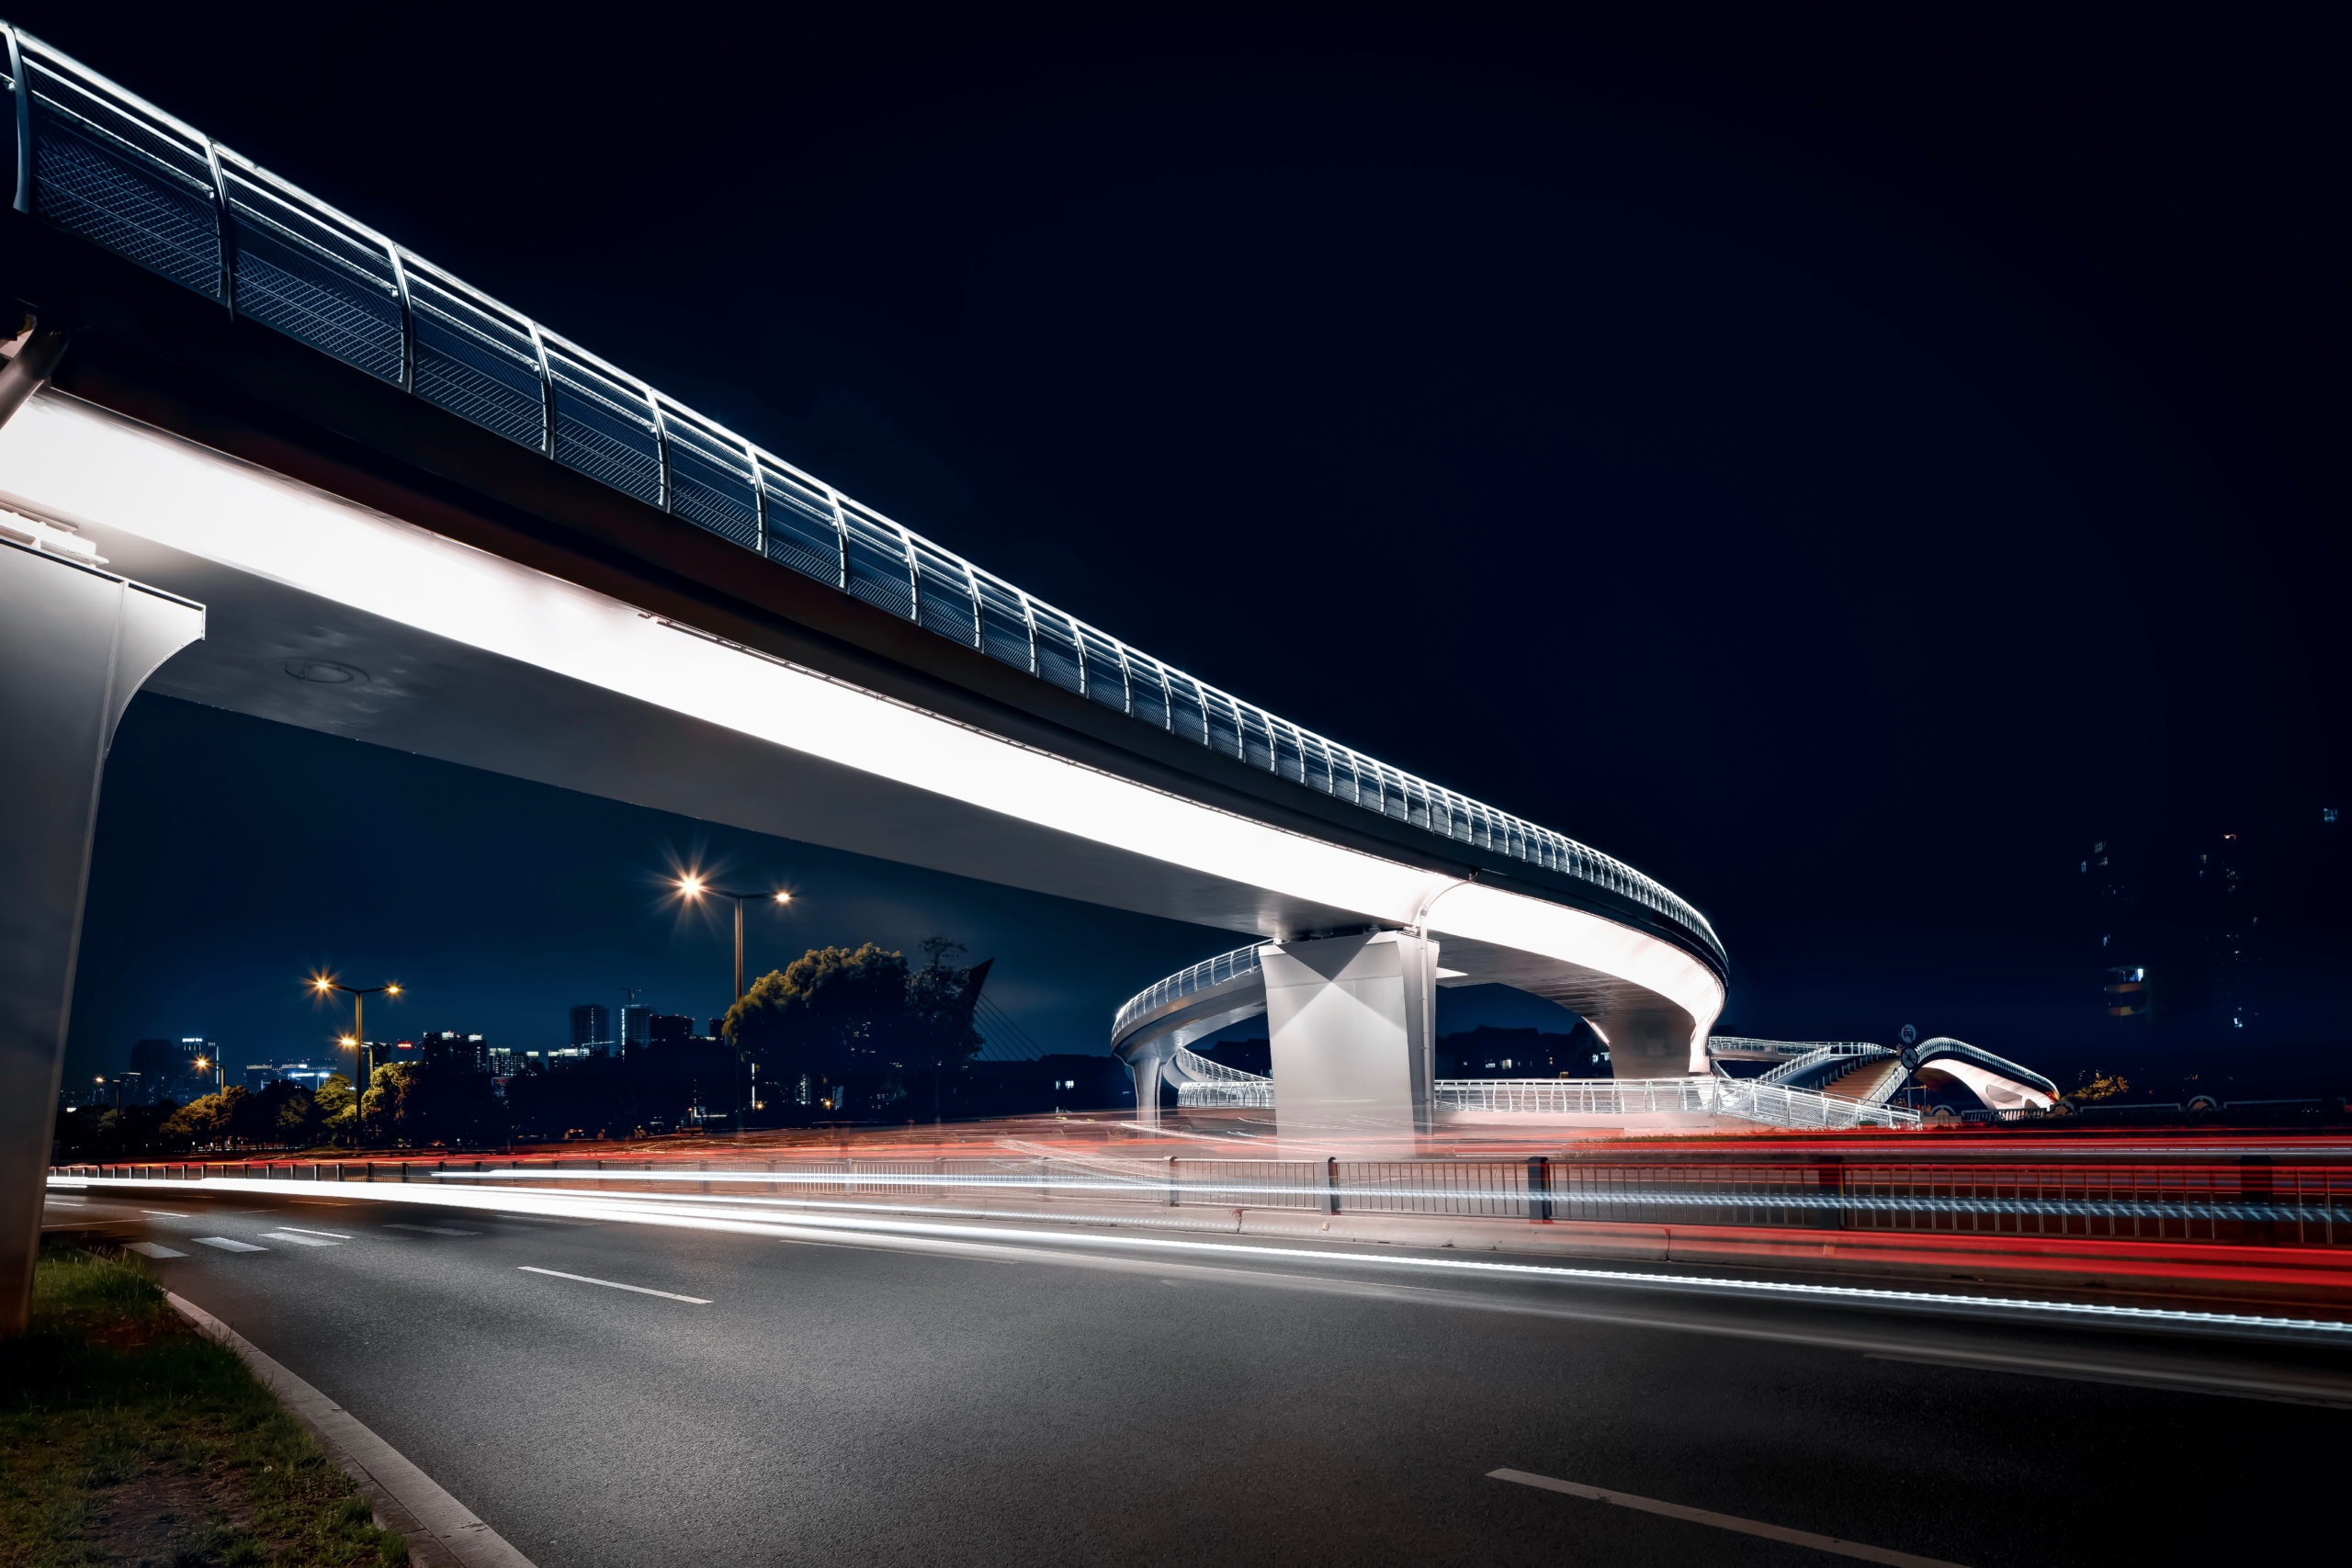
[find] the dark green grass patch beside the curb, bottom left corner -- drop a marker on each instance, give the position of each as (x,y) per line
(116,1414)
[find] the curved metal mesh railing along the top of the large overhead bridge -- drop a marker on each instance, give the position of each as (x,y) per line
(112,168)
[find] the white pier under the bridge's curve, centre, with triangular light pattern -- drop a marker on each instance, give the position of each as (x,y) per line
(1351,1026)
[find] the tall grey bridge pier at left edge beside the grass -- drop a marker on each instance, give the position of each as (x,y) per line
(76,643)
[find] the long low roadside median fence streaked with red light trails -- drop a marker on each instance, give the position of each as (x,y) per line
(2094,1198)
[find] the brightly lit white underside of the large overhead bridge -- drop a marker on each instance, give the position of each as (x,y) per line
(349,622)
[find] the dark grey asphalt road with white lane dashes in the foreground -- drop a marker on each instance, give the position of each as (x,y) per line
(1064,1398)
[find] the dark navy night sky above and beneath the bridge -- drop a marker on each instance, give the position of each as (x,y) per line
(1840,460)
